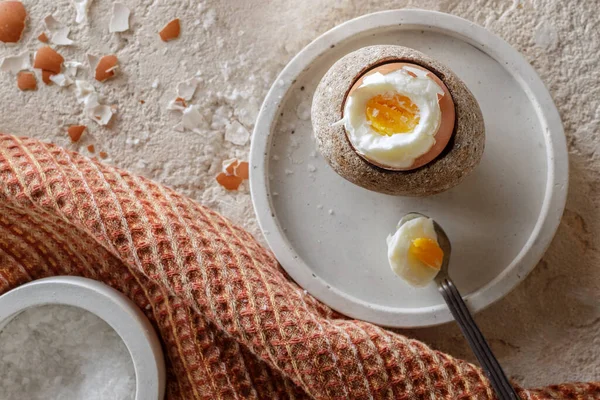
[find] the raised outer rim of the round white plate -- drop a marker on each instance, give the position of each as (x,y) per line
(554,196)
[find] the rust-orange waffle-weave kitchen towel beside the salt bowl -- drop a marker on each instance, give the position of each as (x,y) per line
(233,324)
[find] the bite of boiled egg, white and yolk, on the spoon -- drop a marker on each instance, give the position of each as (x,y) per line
(414,253)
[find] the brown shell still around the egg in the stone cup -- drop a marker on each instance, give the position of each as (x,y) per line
(445,128)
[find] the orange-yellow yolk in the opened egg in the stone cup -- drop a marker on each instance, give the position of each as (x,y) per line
(391,114)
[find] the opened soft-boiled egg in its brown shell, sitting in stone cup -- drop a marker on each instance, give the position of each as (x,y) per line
(399,116)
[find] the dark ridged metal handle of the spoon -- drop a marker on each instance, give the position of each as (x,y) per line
(479,345)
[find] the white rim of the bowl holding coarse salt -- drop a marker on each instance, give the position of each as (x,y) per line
(108,304)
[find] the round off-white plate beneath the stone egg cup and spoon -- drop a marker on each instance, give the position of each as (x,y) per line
(329,234)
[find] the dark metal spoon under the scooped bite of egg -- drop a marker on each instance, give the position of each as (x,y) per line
(463,317)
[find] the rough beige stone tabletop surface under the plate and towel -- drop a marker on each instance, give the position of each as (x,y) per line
(545,331)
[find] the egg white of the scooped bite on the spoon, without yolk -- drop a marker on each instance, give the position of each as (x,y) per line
(405,265)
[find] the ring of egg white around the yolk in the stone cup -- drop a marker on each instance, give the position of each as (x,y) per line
(400,150)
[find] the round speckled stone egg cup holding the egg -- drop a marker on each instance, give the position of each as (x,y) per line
(460,157)
